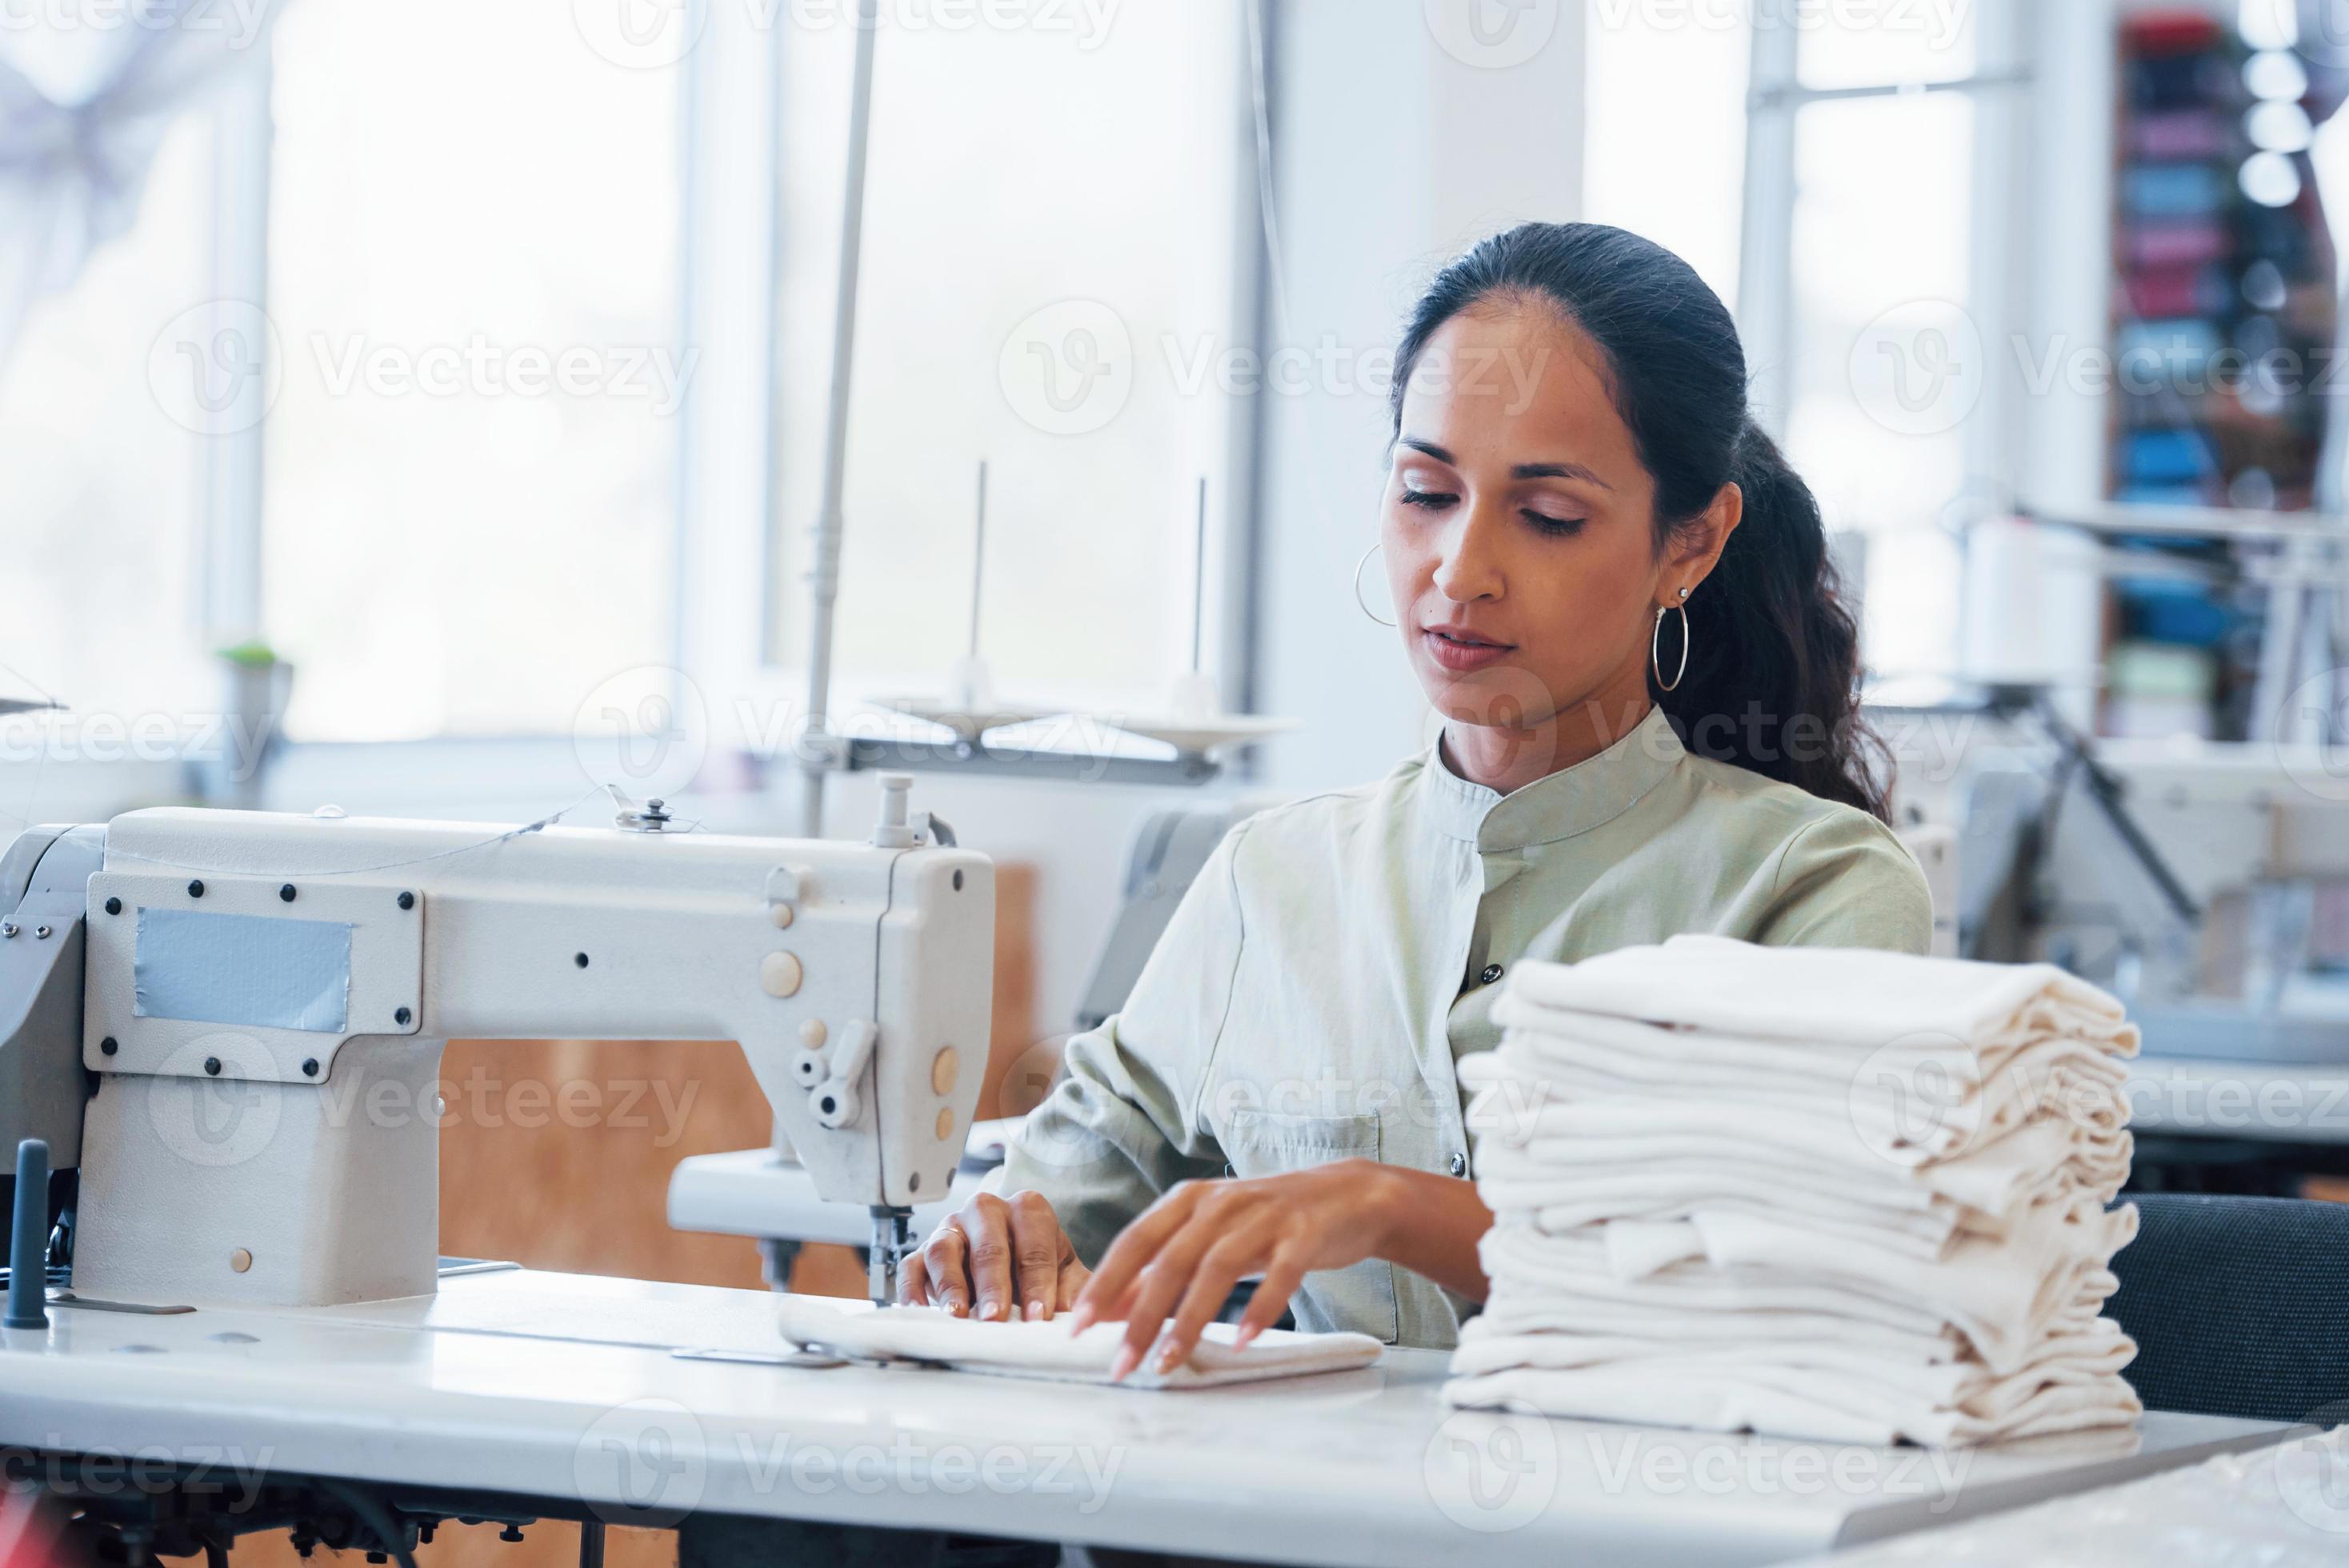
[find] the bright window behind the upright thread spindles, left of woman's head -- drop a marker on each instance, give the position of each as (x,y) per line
(1049,285)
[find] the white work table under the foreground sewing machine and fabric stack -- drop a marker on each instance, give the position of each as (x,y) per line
(565,1386)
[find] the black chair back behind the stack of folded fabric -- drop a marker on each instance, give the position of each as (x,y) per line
(2240,1306)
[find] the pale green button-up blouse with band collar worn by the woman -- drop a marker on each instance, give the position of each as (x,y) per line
(1335,957)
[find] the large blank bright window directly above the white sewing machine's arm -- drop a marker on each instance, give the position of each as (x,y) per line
(471,494)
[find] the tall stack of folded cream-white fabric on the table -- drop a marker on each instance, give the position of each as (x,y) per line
(1810,1191)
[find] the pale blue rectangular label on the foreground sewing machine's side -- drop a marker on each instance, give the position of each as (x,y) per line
(253,971)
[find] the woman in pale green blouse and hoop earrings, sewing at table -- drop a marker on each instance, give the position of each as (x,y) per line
(1620,600)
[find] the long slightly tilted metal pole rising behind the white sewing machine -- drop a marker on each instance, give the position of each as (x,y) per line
(826,569)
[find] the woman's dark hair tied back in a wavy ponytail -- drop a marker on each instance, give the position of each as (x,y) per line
(1775,673)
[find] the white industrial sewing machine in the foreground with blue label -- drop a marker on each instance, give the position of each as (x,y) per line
(262,1003)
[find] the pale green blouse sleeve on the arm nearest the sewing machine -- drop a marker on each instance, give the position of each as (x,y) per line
(1122,1126)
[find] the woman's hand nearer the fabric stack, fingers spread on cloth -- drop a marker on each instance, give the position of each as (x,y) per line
(1190,1250)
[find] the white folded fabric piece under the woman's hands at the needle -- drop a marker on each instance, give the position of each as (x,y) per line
(1049,1351)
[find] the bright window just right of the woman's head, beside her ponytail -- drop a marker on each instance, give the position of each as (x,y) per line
(1869,334)
